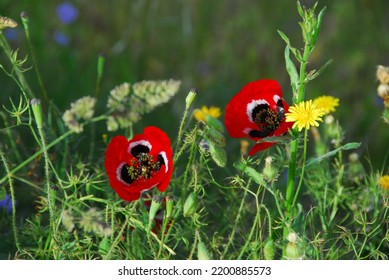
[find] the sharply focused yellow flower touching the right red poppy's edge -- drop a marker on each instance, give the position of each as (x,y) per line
(304,115)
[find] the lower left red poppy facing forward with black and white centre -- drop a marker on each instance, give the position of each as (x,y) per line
(140,164)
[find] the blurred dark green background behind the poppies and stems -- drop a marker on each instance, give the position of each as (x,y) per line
(213,46)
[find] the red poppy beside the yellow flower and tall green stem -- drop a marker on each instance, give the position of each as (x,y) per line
(257,111)
